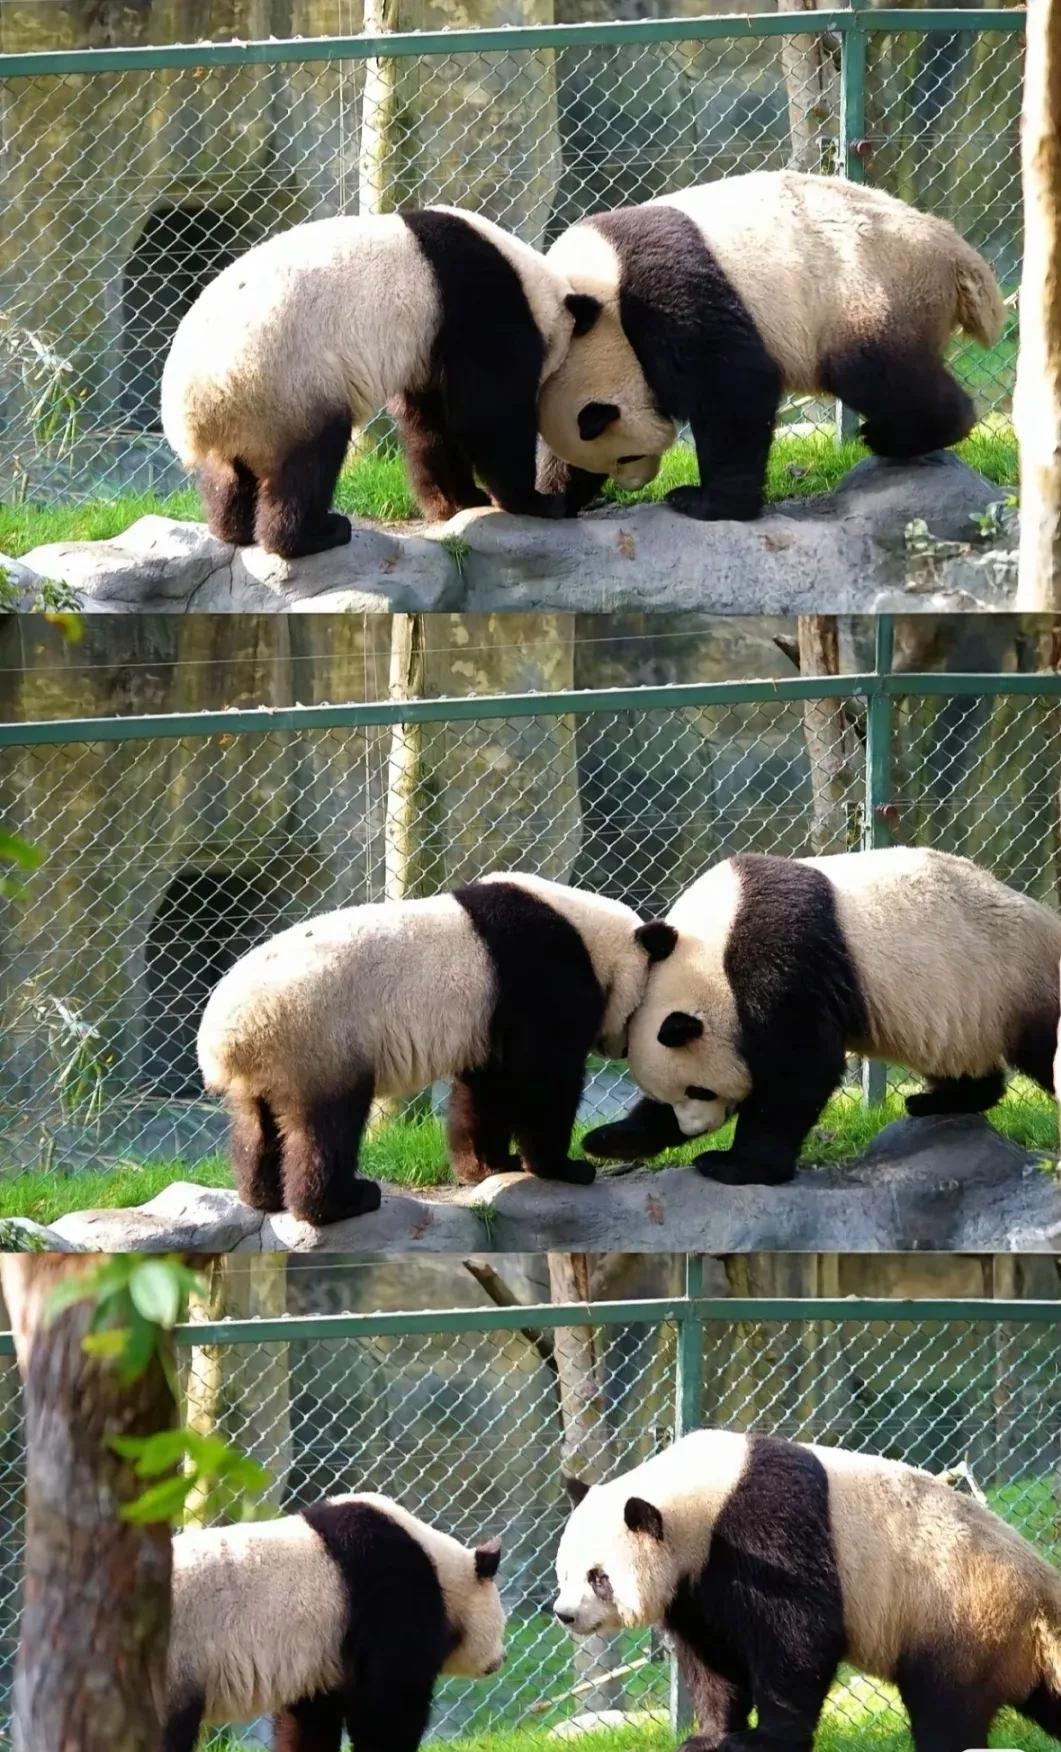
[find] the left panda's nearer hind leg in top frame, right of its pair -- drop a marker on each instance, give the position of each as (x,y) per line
(293,502)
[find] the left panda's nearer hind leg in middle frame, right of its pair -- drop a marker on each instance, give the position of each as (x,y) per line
(321,1147)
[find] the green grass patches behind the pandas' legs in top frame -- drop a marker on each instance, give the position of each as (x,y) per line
(376,486)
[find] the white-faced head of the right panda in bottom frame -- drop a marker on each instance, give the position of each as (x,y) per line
(615,1565)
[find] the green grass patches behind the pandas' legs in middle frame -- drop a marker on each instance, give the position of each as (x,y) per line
(414,1154)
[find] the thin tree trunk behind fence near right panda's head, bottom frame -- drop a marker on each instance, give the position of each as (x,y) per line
(584,1450)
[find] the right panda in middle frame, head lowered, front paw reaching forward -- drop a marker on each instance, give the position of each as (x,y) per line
(768,971)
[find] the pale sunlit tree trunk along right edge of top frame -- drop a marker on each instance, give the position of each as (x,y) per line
(1037,404)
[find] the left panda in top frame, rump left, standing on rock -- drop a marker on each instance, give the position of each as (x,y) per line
(311,334)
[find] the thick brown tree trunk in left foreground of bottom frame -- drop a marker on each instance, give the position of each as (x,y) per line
(97,1590)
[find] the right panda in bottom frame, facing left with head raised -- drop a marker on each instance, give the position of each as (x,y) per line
(769,1564)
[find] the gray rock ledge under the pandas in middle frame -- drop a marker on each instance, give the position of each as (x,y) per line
(925,1185)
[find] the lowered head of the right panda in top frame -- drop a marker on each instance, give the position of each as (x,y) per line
(598,411)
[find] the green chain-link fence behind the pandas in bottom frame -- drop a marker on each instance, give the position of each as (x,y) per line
(467,1416)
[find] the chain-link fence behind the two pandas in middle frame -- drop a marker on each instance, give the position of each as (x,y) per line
(174,844)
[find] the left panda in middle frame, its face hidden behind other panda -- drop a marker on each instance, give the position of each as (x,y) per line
(503,985)
